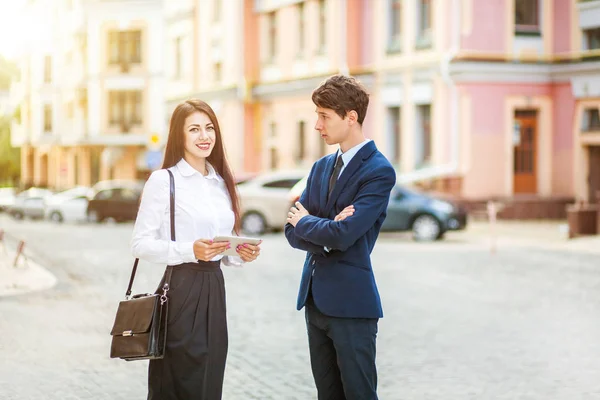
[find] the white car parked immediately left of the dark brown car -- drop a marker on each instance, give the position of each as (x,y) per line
(70,205)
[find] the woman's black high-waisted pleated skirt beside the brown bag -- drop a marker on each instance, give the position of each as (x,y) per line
(194,362)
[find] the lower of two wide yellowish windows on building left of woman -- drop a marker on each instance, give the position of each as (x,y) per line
(125,108)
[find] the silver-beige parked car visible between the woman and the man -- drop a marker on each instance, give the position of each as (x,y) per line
(264,200)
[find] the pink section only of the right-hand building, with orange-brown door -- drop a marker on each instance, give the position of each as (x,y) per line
(528,98)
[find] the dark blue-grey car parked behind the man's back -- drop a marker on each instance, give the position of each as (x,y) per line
(426,215)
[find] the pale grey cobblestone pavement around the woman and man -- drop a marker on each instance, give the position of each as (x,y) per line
(459,322)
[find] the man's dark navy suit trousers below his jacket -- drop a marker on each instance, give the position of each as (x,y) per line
(342,355)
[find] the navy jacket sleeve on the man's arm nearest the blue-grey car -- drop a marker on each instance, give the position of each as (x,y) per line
(371,200)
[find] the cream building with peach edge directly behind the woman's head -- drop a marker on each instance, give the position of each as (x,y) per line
(210,50)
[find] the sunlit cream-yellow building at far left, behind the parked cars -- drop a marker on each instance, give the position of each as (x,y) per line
(91,92)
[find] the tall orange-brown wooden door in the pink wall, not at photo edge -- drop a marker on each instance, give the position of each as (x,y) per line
(525,152)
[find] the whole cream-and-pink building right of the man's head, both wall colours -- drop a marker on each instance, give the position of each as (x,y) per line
(492,99)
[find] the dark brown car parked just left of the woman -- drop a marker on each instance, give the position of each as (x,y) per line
(116,200)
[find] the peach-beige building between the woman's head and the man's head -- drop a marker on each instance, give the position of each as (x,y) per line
(300,44)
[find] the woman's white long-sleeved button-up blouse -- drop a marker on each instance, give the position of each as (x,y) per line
(202,211)
